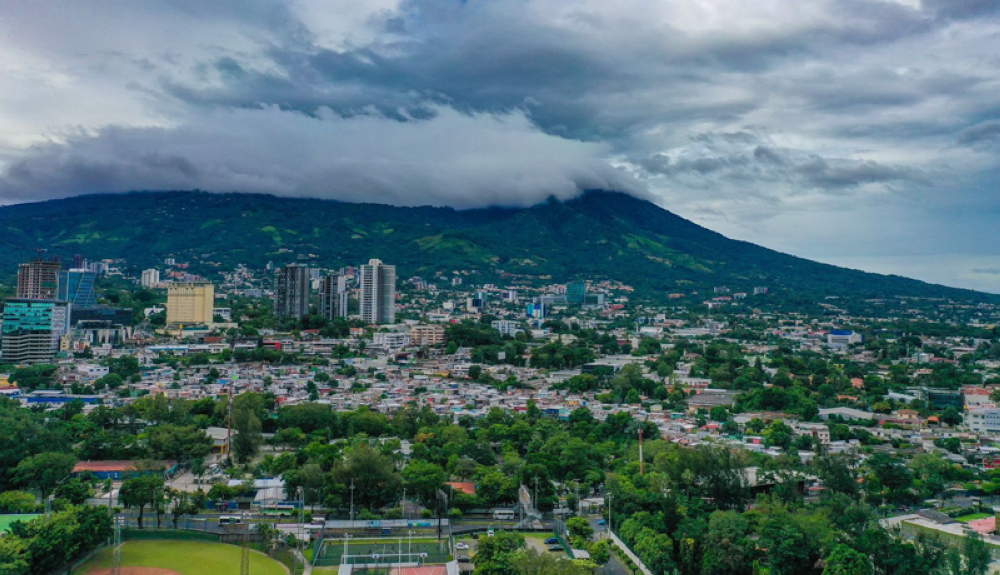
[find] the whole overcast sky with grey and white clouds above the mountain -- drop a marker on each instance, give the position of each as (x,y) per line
(859,132)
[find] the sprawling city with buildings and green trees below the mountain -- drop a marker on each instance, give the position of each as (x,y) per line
(353,418)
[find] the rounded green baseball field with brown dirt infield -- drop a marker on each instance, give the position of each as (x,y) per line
(187,558)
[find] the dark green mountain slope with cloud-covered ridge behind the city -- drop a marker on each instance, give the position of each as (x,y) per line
(599,234)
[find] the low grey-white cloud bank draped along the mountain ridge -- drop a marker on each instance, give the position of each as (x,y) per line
(449,158)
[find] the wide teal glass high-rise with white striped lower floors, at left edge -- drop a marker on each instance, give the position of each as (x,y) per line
(32,329)
